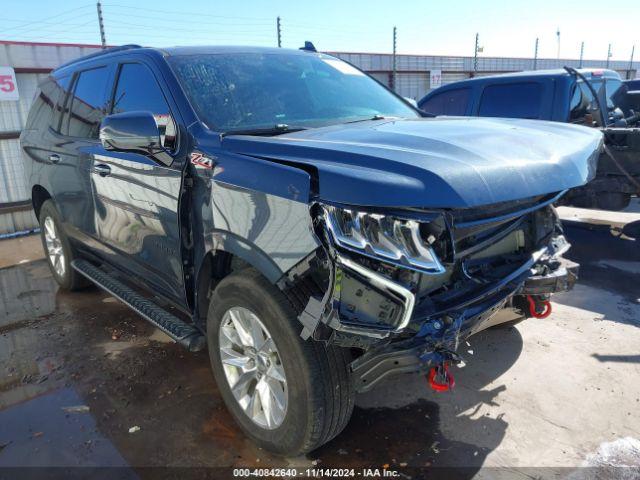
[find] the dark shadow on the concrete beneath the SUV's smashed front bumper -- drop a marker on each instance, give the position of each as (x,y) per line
(402,422)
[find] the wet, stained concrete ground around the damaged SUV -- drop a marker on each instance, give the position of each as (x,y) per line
(78,371)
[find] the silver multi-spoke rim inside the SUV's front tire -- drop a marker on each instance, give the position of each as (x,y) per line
(253,367)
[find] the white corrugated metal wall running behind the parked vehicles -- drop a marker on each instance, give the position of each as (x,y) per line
(32,61)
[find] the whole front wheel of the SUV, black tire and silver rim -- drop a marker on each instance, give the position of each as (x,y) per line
(289,395)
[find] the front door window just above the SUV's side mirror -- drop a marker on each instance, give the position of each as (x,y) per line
(138,90)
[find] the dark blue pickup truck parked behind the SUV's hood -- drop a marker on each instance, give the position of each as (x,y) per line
(594,98)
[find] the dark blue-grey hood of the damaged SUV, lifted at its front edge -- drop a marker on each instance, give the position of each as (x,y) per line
(448,162)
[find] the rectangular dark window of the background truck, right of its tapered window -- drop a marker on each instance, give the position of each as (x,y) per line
(511,100)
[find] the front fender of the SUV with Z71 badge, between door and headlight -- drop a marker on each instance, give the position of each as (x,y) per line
(252,208)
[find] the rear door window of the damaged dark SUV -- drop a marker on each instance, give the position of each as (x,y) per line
(88,104)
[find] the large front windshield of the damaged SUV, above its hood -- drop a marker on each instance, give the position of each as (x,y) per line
(243,91)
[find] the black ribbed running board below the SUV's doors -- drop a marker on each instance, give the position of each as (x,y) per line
(183,333)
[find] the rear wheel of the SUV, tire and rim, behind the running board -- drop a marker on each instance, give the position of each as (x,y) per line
(58,250)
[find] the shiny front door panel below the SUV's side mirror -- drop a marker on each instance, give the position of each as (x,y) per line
(136,219)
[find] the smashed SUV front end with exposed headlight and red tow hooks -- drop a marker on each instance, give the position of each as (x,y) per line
(405,287)
